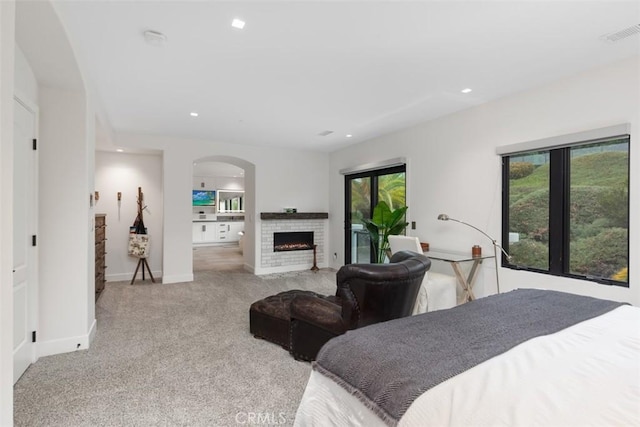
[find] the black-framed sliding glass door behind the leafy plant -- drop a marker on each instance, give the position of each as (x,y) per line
(362,192)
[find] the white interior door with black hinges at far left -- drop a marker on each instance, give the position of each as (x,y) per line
(24,228)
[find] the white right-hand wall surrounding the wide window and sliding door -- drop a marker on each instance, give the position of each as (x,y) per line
(452,167)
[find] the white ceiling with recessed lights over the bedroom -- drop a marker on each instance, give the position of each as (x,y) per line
(300,68)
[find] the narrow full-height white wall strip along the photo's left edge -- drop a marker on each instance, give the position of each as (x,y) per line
(7,23)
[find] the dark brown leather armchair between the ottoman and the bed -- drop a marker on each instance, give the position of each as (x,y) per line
(366,294)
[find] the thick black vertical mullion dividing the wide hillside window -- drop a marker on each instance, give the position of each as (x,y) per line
(558,210)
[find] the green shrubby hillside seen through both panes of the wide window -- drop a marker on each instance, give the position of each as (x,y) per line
(598,212)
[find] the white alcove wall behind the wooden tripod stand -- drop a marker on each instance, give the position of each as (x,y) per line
(122,172)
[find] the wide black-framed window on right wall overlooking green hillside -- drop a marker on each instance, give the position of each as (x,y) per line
(566,210)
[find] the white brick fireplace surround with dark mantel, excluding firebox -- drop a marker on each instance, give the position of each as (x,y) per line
(273,222)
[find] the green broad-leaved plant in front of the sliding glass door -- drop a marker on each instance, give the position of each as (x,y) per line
(383,224)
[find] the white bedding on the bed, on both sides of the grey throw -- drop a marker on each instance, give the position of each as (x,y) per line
(585,375)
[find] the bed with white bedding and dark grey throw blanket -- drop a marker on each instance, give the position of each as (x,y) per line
(522,358)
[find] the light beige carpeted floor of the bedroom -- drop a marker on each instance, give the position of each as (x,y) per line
(172,355)
